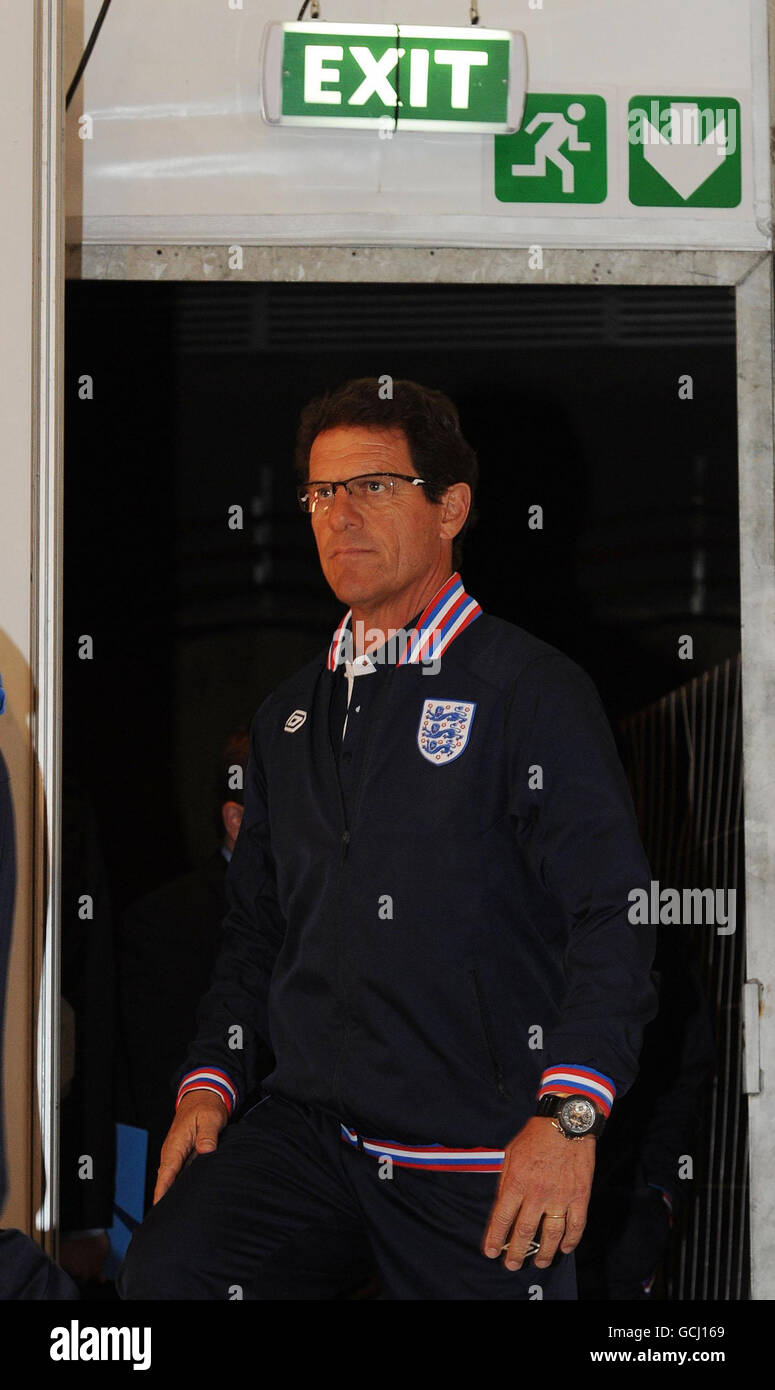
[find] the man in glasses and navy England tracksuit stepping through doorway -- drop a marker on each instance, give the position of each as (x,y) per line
(428,924)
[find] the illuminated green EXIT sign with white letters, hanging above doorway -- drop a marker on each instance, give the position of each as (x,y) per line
(394,77)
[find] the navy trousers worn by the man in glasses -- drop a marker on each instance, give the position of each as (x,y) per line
(285,1210)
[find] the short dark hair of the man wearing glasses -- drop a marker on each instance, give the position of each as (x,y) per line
(427,418)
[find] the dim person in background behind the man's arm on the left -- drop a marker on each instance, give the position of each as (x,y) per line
(169,945)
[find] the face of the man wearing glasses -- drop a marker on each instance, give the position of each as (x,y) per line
(370,555)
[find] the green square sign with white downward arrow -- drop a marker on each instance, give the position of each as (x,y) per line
(684,152)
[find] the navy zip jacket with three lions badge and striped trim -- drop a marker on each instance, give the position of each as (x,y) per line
(428,919)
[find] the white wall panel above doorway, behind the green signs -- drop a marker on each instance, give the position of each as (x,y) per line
(180,151)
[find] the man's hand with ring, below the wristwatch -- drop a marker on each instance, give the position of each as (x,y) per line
(545,1184)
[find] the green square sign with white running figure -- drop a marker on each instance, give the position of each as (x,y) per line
(559,155)
